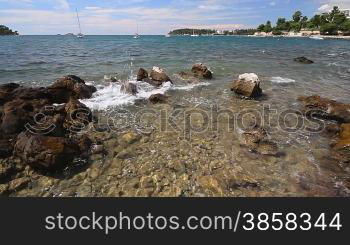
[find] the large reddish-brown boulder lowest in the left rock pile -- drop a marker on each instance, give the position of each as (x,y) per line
(46,152)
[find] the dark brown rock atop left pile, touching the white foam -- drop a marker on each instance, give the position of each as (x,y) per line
(70,86)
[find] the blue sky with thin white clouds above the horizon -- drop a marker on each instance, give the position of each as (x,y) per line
(118,17)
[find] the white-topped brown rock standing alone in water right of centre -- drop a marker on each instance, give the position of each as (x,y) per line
(248,85)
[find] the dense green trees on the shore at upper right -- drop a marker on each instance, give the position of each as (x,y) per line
(327,24)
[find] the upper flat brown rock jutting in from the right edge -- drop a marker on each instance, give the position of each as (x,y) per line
(326,108)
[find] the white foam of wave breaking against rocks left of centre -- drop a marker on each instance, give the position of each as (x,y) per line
(111,95)
